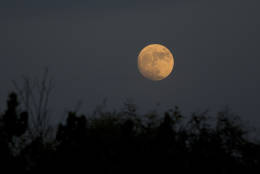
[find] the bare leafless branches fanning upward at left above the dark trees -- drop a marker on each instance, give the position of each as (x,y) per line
(35,94)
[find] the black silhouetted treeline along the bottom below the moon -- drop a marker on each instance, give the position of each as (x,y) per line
(125,142)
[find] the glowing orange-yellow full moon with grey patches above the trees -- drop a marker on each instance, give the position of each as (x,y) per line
(155,62)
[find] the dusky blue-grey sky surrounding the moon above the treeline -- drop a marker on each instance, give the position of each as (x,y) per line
(91,49)
